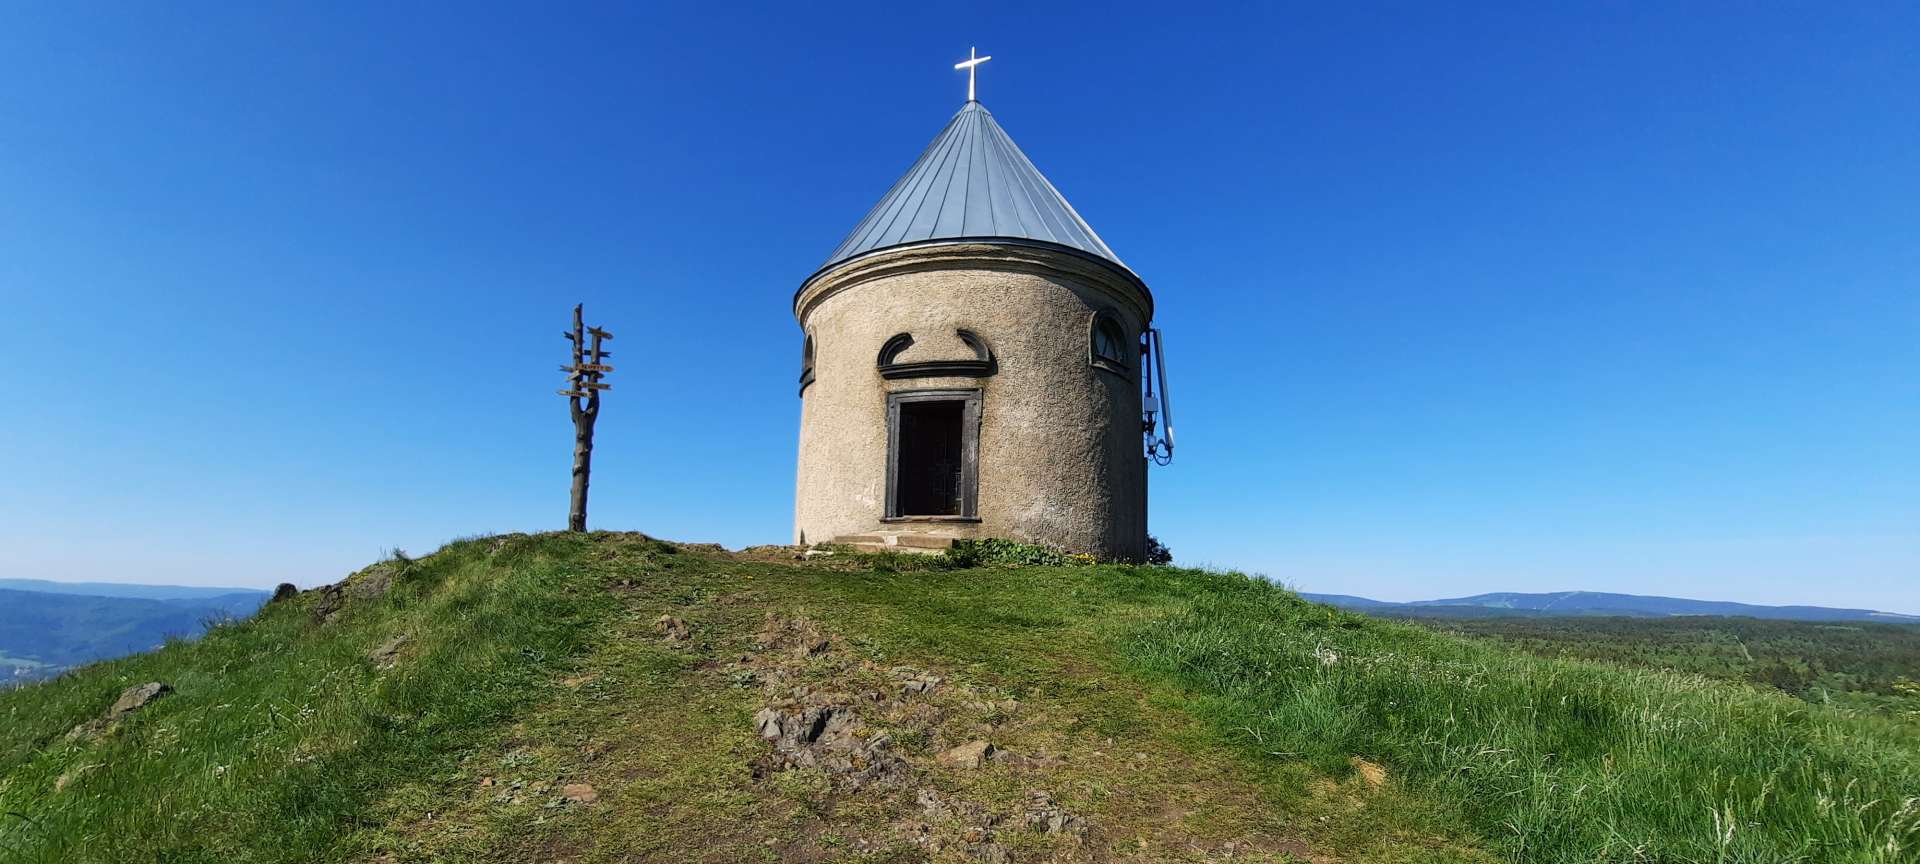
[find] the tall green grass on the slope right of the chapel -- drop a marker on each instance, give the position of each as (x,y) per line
(1552,761)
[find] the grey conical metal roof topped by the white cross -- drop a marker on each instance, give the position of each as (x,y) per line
(972,183)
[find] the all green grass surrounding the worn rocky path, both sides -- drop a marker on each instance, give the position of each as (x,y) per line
(283,732)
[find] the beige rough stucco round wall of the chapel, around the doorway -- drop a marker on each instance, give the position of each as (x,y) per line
(1059,441)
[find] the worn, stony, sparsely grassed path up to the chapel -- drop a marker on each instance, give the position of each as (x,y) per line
(727,723)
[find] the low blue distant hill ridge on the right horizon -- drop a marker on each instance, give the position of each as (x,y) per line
(1595,604)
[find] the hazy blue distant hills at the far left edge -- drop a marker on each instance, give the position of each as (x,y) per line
(51,627)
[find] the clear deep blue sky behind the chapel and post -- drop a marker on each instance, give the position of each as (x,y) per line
(1616,297)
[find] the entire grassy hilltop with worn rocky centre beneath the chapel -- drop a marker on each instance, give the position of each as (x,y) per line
(613,698)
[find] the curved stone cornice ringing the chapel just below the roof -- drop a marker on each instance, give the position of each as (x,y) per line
(1015,256)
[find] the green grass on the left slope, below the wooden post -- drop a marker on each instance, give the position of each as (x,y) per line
(281,731)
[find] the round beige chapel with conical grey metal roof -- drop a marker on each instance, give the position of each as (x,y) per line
(972,366)
